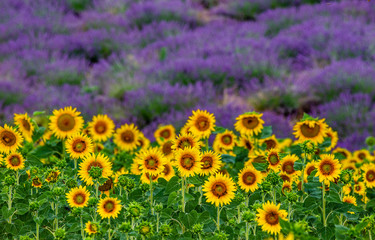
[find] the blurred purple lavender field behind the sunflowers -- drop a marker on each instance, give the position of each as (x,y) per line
(153,62)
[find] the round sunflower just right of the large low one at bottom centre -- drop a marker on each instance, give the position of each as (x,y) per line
(249,178)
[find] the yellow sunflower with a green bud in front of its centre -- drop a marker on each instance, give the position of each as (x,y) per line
(93,160)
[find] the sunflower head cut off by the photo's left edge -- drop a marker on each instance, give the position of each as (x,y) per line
(10,139)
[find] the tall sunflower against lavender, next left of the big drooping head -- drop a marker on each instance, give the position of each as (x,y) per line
(249,123)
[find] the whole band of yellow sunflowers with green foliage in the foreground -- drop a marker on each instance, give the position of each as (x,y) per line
(67,179)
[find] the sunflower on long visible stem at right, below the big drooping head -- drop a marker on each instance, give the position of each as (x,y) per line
(328,168)
